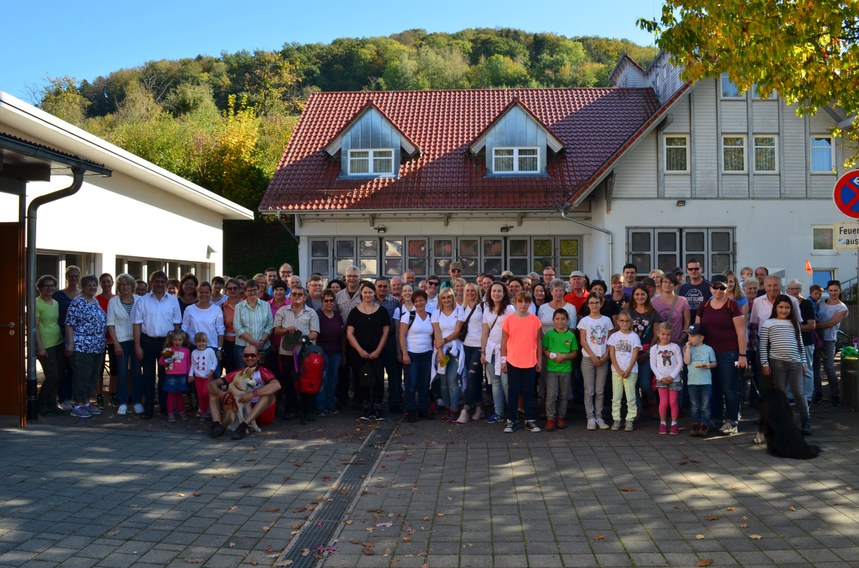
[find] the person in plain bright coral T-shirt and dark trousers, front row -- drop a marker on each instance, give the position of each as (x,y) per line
(520,359)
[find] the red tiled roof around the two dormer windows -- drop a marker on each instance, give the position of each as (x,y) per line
(593,124)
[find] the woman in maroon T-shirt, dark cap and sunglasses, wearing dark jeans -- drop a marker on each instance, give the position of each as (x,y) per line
(725,330)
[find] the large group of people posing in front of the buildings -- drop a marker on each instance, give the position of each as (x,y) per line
(441,347)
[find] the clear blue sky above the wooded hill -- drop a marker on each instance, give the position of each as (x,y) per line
(88,38)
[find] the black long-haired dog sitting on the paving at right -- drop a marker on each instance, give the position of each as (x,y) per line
(777,424)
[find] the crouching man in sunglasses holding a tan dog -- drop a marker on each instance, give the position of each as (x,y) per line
(262,396)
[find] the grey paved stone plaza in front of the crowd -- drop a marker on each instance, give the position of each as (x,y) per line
(116,491)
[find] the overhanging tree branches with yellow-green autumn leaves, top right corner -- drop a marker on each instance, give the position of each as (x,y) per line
(806,50)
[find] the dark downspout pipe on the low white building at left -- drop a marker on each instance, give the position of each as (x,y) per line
(29,293)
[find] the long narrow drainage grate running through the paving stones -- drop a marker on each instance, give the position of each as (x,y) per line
(320,527)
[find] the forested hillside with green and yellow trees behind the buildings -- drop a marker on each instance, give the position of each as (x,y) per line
(223,122)
